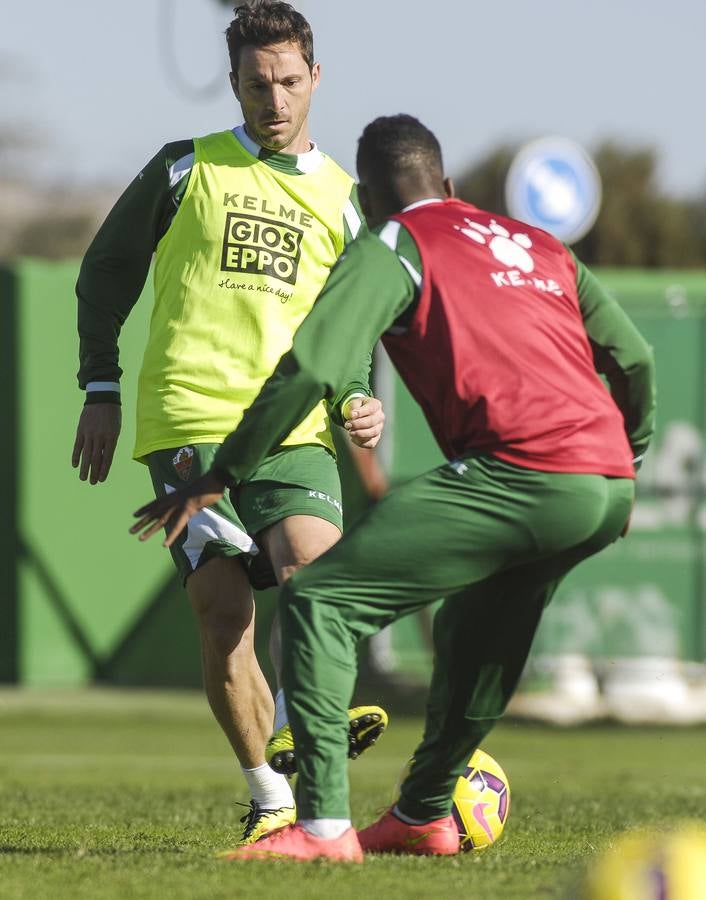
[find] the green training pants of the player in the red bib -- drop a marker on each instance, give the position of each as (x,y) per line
(495,540)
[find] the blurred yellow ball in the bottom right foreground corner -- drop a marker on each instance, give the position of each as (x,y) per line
(652,866)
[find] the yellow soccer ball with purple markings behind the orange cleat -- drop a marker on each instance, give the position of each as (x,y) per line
(481,802)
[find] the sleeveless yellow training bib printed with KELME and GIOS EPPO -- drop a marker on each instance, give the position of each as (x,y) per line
(240,266)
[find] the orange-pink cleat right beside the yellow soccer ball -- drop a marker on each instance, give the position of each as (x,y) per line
(391,835)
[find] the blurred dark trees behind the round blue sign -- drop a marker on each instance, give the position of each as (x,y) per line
(637,224)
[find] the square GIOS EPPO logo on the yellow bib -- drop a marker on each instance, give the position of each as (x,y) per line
(260,246)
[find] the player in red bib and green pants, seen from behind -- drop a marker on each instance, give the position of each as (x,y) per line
(501,335)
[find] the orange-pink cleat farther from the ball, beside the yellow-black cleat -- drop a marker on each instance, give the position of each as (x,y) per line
(294,843)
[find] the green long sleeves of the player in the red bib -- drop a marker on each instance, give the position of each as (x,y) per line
(381,285)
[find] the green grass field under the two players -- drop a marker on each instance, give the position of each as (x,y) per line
(126,795)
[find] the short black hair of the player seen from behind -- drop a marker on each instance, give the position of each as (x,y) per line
(396,144)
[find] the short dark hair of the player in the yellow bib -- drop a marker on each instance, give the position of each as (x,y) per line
(265,22)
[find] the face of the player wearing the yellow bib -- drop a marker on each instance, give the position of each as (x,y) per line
(274,86)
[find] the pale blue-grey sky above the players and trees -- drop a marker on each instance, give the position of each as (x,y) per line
(94,85)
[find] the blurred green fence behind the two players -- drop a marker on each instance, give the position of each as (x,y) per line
(80,600)
